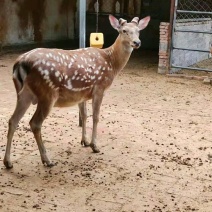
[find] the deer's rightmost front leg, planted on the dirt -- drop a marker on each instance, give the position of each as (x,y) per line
(96,103)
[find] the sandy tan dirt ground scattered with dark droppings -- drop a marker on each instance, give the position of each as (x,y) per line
(155,141)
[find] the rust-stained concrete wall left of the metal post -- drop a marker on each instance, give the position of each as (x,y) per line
(36,21)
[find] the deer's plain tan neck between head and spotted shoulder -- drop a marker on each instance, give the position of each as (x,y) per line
(119,54)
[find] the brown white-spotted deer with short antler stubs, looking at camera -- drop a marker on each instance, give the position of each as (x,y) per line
(61,78)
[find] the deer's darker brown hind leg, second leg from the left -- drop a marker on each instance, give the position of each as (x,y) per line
(43,109)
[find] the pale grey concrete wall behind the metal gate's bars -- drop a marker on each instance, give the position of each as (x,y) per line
(191,41)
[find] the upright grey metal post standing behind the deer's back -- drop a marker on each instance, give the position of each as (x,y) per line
(82,32)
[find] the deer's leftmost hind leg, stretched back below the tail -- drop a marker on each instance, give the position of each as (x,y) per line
(24,99)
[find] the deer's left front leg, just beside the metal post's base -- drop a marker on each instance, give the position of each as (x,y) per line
(83,114)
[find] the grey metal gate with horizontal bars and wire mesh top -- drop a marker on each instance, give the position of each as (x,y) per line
(192,35)
